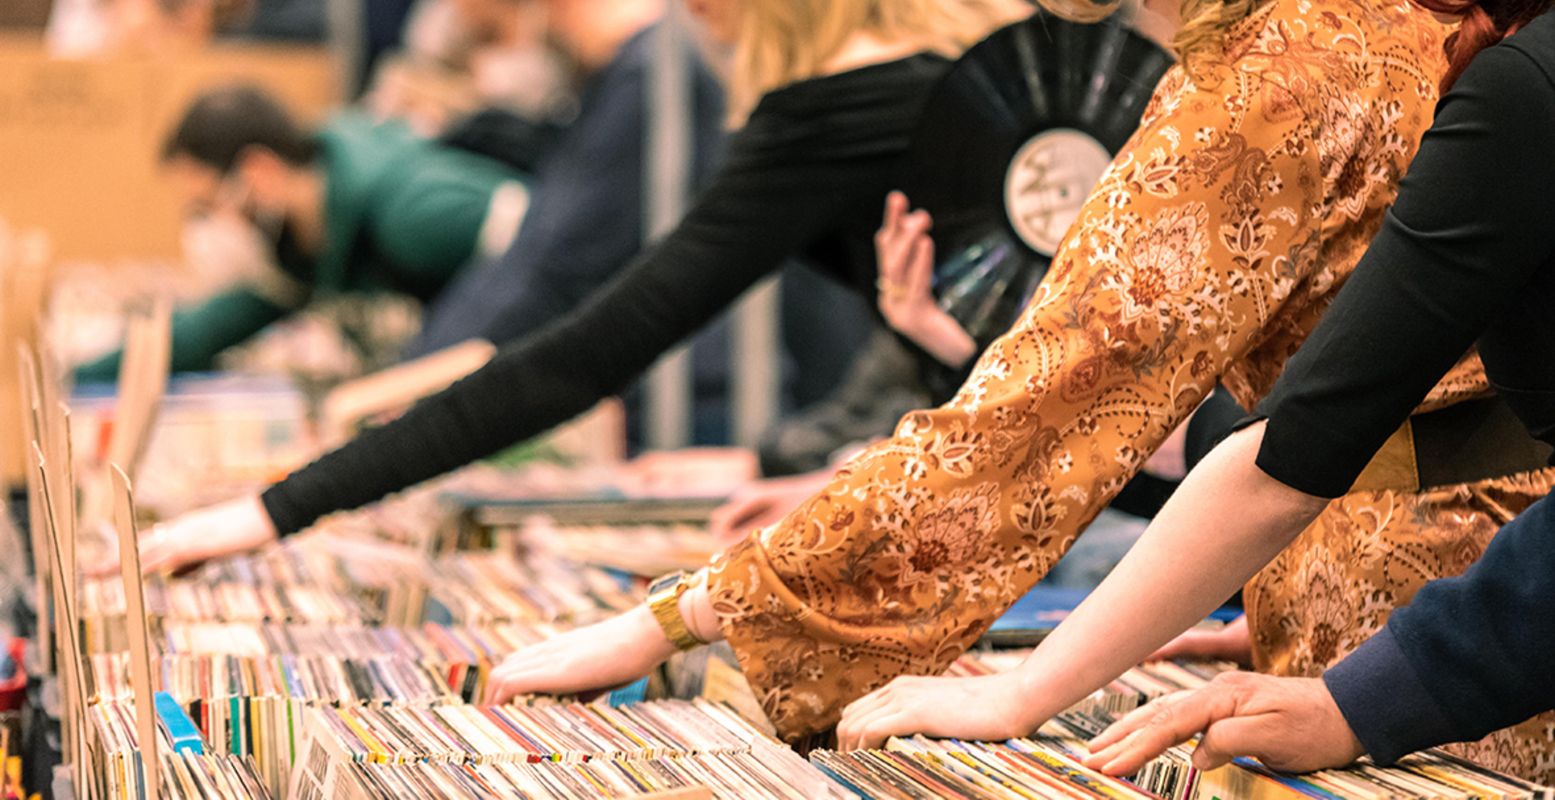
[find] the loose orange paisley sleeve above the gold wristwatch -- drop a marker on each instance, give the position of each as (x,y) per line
(1206,254)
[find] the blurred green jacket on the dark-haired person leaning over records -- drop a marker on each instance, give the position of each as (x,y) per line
(400,214)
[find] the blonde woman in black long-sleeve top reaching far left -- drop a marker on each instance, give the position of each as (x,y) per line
(828,96)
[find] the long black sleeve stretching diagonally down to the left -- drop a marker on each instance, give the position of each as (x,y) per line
(806,177)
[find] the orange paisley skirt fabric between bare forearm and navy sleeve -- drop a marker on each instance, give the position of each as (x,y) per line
(1368,555)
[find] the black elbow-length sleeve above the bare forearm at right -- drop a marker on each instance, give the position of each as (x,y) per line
(1472,225)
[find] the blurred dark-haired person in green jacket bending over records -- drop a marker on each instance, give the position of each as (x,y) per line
(358,206)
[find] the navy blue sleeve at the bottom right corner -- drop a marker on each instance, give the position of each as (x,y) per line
(1472,654)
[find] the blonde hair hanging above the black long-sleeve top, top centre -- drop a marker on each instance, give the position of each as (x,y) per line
(786,41)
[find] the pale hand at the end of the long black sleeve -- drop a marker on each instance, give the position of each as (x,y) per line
(223,530)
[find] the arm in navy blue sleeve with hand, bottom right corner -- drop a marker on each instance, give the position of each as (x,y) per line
(1469,656)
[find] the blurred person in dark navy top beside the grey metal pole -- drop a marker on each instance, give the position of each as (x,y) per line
(587,212)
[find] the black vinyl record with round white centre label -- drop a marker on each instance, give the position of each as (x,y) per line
(1010,147)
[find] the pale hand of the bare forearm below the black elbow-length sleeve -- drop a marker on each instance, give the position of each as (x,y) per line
(985,707)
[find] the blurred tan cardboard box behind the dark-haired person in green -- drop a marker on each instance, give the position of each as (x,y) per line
(80,139)
